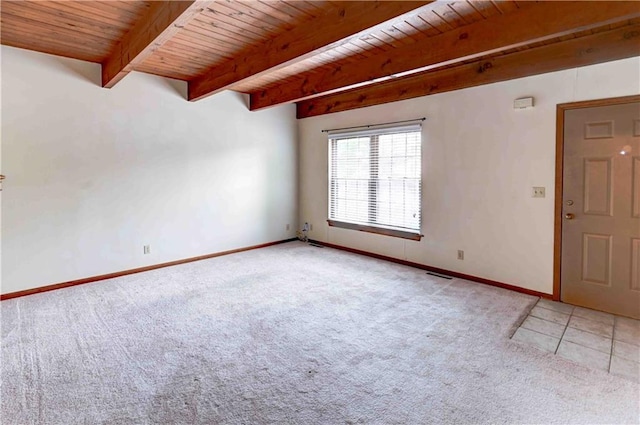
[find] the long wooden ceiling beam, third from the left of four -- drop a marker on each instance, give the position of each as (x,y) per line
(534,23)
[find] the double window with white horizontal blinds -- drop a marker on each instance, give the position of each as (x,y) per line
(375,180)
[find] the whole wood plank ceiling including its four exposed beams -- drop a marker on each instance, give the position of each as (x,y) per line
(326,56)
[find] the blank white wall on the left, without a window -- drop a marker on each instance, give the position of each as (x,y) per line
(95,174)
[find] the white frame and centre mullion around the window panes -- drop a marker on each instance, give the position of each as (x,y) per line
(370,224)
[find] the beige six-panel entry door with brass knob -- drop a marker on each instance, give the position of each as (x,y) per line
(601,209)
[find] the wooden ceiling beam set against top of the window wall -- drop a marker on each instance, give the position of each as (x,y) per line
(620,43)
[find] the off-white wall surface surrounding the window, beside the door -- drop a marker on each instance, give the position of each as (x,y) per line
(480,160)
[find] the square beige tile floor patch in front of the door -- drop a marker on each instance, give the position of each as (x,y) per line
(588,337)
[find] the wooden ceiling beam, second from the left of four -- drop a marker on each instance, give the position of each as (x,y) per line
(333,29)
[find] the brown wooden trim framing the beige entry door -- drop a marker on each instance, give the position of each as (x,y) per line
(557,237)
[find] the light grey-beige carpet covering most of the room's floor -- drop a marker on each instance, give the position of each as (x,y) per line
(290,334)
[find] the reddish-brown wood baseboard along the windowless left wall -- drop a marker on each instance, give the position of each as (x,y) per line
(132,271)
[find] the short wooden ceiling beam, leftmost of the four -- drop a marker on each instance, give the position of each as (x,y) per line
(163,20)
